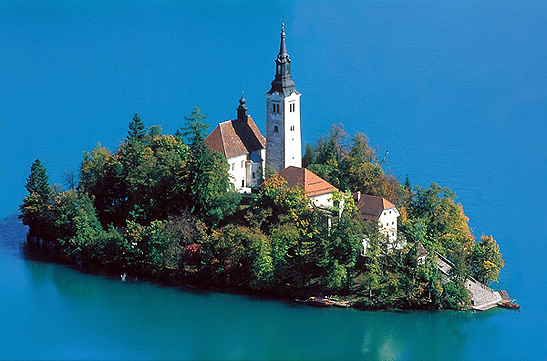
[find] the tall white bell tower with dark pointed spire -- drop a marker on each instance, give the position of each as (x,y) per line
(283,140)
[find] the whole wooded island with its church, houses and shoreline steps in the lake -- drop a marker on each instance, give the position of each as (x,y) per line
(233,210)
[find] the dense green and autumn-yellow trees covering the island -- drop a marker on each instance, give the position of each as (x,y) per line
(161,208)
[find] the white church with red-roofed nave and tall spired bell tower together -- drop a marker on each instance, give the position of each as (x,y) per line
(247,151)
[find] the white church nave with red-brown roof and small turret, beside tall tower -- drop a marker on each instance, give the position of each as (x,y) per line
(243,146)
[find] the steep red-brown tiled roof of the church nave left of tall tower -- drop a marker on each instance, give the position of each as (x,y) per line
(236,137)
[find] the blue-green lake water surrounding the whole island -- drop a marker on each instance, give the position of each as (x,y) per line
(456,92)
